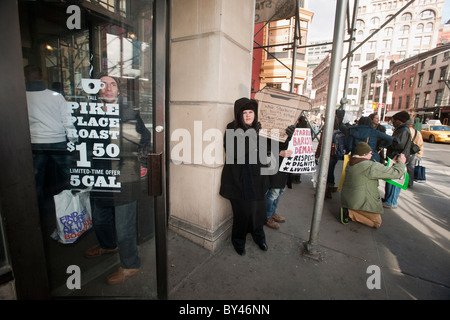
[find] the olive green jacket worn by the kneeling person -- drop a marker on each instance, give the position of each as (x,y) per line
(360,188)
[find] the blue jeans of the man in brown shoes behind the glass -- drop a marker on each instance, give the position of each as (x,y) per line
(121,220)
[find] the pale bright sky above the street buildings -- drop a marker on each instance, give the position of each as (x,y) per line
(322,24)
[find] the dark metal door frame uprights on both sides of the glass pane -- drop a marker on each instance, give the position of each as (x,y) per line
(18,197)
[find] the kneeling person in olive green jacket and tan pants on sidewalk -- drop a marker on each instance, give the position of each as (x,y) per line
(360,198)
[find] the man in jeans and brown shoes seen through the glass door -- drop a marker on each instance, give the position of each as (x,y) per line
(115,213)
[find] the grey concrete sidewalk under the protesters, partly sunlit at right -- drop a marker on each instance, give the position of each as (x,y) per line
(412,250)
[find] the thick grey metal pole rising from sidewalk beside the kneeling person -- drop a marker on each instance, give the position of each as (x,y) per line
(333,84)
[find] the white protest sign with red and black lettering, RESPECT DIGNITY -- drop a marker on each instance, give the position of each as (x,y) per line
(302,159)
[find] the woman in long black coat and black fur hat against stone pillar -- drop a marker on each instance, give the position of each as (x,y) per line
(242,182)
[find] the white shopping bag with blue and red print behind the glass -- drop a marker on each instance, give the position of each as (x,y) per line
(73,215)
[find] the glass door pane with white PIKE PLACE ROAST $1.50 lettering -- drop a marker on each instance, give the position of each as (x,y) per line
(89,73)
